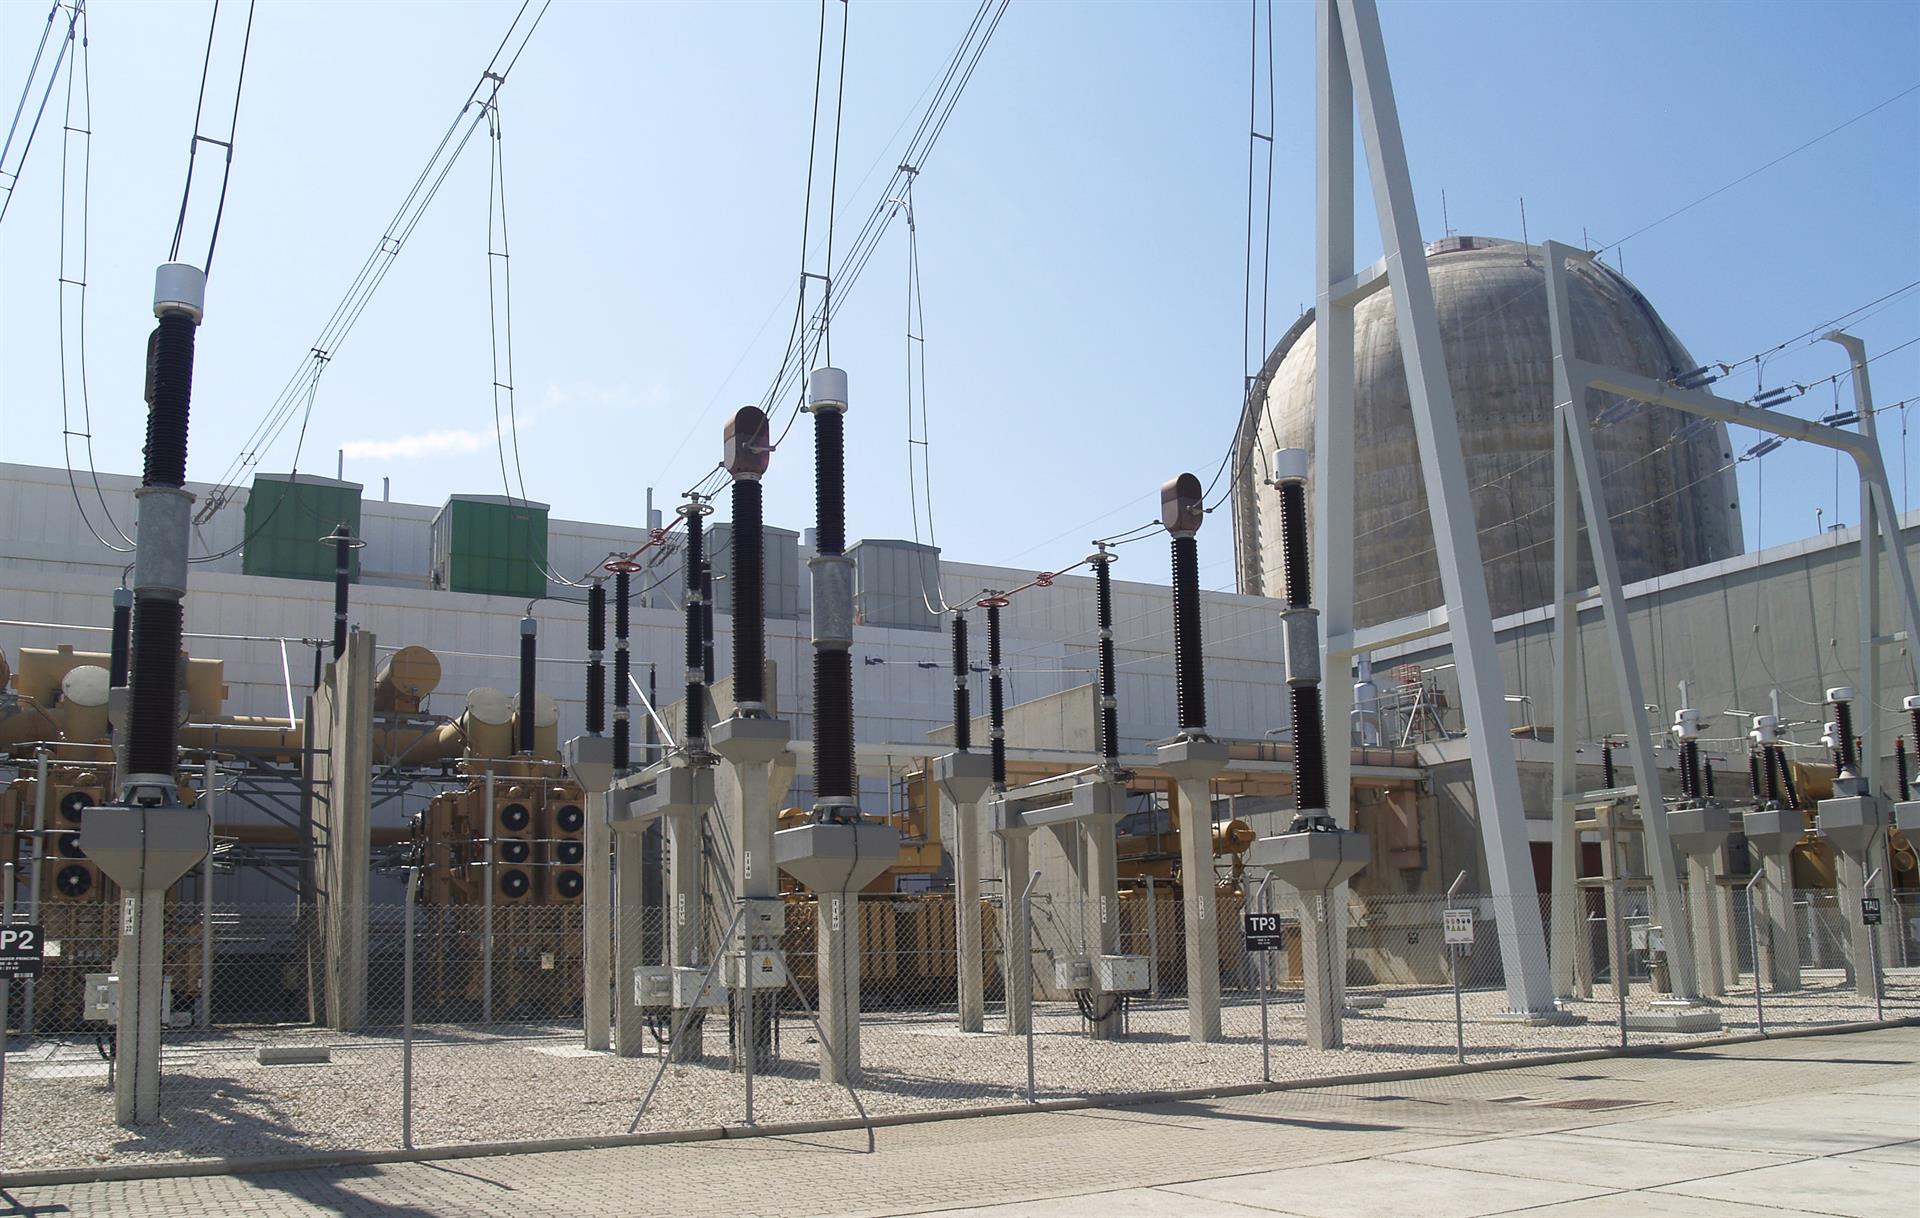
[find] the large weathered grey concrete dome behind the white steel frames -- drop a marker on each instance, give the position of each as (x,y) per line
(1673,497)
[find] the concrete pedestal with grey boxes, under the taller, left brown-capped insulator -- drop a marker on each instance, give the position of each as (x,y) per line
(748,750)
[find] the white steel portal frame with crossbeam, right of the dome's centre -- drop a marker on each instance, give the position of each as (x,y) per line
(1879,527)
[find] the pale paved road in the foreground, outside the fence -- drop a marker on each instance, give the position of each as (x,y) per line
(1775,1131)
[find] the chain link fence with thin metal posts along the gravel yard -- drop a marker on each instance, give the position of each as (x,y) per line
(471,1023)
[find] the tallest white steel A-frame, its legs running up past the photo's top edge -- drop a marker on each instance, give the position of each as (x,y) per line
(1353,70)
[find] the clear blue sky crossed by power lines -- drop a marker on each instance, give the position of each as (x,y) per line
(1082,235)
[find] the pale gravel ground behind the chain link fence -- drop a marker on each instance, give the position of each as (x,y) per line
(537,1083)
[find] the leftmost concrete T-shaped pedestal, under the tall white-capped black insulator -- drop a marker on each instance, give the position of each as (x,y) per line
(143,850)
